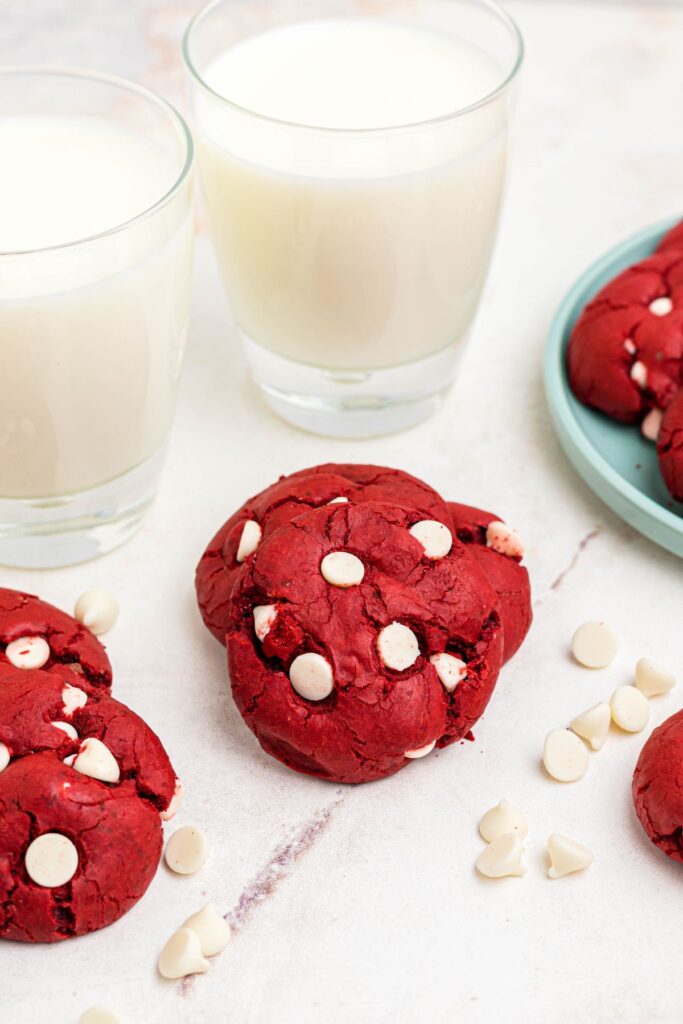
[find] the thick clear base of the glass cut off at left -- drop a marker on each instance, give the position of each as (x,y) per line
(49,533)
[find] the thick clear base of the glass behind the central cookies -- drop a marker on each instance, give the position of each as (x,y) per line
(353,404)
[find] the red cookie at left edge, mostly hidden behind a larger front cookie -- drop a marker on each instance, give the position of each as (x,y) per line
(56,642)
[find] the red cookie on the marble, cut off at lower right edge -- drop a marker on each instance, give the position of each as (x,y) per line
(658,787)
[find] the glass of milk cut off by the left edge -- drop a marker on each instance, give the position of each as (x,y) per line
(96,267)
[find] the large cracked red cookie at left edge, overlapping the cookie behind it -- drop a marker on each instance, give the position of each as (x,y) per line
(82,795)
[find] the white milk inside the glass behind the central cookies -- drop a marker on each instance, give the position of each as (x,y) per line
(346,248)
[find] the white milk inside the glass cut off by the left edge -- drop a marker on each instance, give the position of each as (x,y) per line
(92,335)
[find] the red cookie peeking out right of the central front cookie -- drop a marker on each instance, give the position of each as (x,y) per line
(499,552)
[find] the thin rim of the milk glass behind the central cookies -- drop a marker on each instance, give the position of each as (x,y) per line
(491,6)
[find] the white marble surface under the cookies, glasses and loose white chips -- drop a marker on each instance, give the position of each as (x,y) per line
(362,905)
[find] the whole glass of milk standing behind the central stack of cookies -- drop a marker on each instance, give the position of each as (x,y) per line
(353,155)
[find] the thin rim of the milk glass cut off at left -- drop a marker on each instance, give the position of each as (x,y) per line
(144,94)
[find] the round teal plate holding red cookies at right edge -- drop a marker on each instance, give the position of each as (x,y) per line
(615,460)
